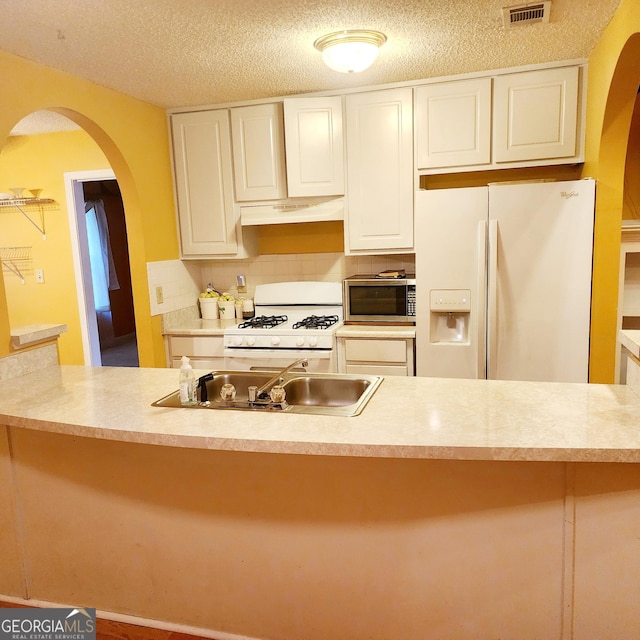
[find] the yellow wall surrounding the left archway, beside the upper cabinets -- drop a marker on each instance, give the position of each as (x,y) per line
(134,138)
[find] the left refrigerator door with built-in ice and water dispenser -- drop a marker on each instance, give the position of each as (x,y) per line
(450,234)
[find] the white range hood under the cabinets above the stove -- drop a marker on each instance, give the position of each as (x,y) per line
(298,210)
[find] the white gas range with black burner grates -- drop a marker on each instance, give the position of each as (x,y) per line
(292,320)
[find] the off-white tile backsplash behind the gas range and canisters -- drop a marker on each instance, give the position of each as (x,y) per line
(181,282)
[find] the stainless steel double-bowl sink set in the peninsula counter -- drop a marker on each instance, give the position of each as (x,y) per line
(329,394)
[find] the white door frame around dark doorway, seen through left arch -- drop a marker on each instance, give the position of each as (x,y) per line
(82,268)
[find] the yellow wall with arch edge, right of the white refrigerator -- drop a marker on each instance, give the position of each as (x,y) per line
(614,76)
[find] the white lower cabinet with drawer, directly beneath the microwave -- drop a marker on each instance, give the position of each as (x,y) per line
(376,356)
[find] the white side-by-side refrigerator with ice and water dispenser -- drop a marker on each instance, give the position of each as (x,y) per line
(503,279)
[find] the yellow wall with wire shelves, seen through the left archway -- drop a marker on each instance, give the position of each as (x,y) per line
(40,162)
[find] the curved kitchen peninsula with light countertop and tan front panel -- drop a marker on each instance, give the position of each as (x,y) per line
(447,509)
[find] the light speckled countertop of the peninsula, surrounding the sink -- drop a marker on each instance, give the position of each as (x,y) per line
(406,418)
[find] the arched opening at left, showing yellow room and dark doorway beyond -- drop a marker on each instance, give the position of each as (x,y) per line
(54,147)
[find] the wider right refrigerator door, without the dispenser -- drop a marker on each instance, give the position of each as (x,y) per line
(541,244)
